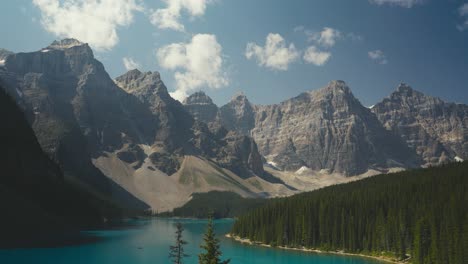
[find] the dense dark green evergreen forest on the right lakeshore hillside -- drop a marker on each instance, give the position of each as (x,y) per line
(420,215)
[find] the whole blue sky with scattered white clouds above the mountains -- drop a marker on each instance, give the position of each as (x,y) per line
(269,49)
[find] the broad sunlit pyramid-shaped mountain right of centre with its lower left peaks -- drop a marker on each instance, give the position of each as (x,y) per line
(323,129)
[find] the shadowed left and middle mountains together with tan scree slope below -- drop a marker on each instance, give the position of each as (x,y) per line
(102,134)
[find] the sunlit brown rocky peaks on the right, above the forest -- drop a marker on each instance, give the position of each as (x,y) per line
(329,129)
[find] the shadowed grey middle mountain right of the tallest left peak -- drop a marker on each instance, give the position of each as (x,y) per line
(179,133)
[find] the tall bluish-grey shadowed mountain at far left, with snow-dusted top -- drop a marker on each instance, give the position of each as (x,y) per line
(75,110)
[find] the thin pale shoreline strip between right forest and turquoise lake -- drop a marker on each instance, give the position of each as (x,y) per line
(249,242)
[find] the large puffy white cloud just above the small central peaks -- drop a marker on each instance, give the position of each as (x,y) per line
(197,63)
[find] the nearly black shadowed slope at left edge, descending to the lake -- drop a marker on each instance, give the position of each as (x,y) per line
(32,185)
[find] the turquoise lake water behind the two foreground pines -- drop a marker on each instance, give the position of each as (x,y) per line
(147,242)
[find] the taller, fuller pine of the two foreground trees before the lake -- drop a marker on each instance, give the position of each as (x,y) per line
(212,253)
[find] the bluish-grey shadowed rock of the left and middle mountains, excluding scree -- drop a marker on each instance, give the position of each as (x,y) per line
(79,113)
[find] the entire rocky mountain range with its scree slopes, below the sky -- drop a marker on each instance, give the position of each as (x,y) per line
(129,140)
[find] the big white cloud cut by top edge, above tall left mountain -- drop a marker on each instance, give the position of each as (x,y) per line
(91,21)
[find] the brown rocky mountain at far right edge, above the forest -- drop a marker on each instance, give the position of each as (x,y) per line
(436,130)
